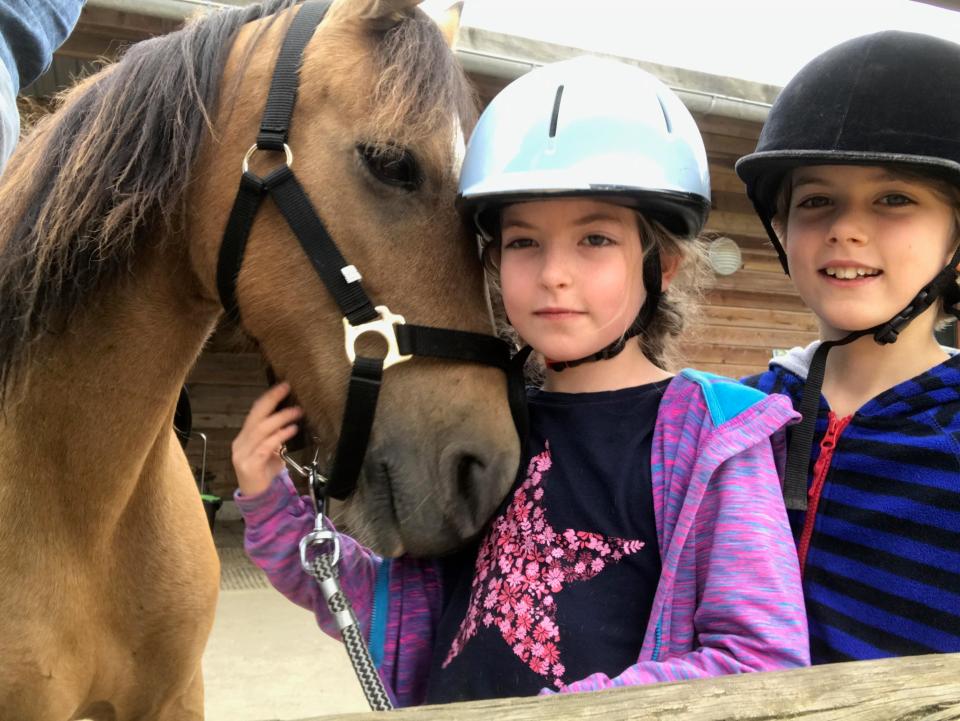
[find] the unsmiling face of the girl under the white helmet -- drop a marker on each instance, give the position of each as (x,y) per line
(570,272)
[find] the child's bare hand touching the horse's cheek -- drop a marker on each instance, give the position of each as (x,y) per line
(255,455)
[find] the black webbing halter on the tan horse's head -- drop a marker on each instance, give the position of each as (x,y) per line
(342,280)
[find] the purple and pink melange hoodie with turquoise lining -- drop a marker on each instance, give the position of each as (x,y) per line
(729,597)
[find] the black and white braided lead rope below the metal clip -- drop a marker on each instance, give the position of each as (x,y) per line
(323,570)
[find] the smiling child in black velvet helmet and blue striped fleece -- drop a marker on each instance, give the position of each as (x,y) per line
(857,179)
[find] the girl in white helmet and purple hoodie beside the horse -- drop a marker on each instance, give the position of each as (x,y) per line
(645,539)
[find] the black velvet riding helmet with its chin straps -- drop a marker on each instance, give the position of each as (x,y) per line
(891,98)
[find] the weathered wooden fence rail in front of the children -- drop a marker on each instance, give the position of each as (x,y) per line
(902,689)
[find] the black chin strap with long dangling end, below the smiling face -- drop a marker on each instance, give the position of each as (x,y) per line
(944,285)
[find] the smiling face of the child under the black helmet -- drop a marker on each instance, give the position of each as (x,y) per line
(861,242)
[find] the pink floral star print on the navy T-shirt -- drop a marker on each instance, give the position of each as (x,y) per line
(522,563)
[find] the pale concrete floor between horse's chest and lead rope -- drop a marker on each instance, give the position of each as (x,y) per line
(266,658)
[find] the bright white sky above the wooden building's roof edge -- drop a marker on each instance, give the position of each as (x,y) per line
(761,40)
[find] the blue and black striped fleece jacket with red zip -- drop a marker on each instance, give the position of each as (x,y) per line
(881,573)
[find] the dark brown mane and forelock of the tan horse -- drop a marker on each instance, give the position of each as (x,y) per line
(117,157)
